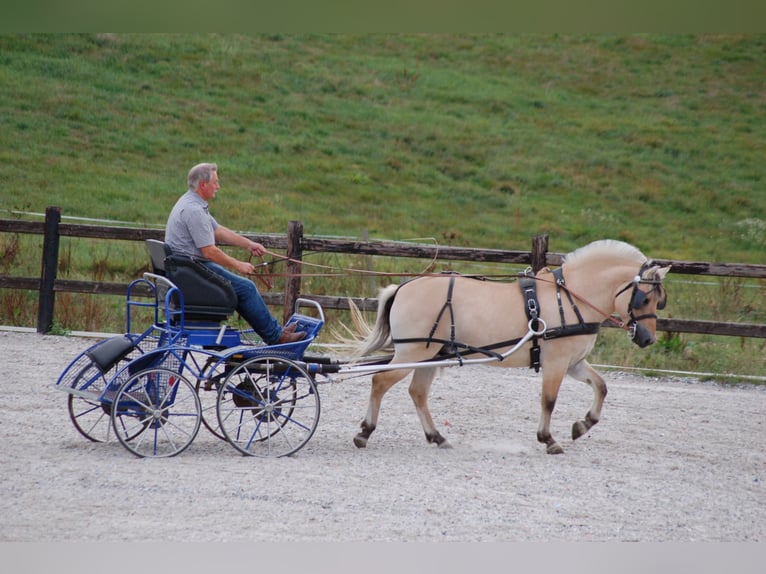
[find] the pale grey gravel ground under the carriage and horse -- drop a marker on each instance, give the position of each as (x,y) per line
(671,460)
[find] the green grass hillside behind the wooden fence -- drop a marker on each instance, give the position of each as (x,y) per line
(473,140)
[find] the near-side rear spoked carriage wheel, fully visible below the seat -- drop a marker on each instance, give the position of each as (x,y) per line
(156,413)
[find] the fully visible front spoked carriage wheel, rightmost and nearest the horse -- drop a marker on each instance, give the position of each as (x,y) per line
(268,407)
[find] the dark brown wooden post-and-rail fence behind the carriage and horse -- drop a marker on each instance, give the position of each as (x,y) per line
(295,243)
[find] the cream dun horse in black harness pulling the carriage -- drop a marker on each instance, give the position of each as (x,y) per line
(554,315)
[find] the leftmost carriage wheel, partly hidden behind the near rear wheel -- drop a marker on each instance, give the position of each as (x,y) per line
(89,415)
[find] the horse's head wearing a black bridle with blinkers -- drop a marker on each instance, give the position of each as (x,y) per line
(641,298)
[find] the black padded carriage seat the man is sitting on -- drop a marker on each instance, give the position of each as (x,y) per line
(207,295)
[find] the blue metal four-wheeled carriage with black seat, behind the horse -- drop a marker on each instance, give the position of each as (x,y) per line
(153,389)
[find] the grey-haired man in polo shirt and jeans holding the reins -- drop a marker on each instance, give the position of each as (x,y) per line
(191,230)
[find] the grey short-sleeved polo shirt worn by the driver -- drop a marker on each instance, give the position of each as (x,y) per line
(190,226)
